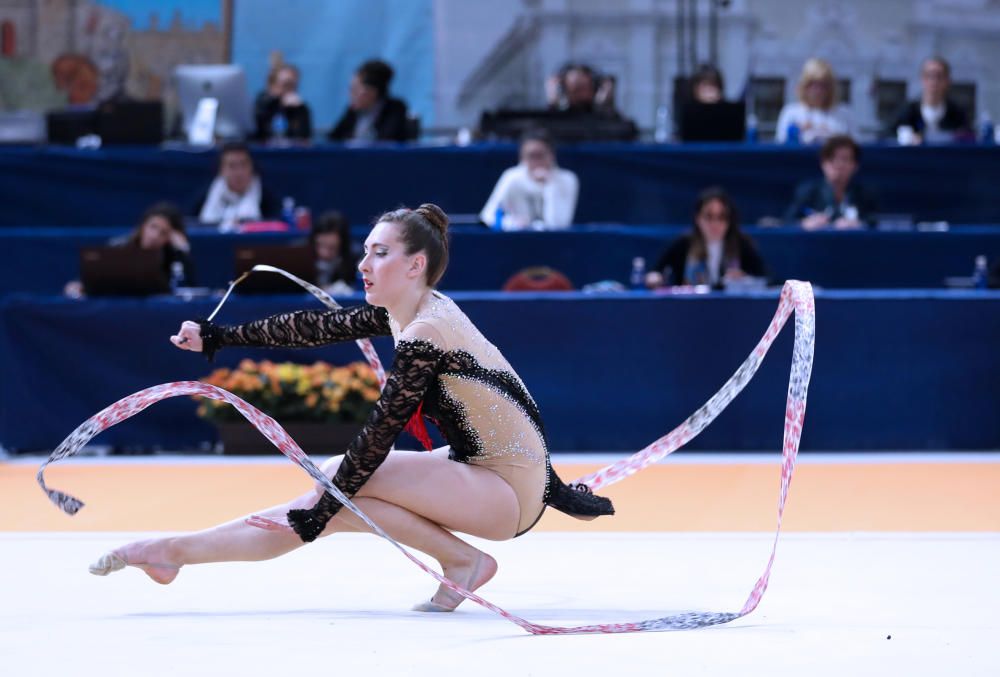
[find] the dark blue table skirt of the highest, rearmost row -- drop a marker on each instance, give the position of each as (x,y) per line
(620,183)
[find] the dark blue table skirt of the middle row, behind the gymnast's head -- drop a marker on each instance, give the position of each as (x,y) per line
(41,260)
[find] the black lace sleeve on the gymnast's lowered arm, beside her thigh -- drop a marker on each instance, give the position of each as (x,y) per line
(414,369)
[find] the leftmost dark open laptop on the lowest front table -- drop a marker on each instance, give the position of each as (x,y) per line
(122,271)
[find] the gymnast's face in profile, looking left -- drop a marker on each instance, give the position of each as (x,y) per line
(388,271)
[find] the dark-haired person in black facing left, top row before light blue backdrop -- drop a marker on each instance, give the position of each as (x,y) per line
(372,115)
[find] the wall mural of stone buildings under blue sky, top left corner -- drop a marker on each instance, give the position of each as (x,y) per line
(57,53)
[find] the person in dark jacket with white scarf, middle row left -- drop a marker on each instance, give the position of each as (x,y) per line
(237,194)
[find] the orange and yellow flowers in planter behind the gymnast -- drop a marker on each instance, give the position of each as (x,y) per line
(322,406)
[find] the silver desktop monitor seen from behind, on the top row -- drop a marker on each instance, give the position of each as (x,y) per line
(224,82)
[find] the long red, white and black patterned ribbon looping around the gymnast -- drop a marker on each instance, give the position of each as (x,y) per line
(795,296)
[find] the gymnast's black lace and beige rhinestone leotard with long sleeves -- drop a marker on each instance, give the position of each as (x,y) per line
(466,387)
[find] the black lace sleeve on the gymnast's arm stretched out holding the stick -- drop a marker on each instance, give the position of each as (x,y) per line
(303,328)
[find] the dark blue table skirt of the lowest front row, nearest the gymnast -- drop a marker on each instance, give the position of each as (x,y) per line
(893,370)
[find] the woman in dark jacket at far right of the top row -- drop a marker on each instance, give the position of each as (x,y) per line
(934,117)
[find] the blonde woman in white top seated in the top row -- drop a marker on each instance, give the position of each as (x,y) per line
(816,115)
